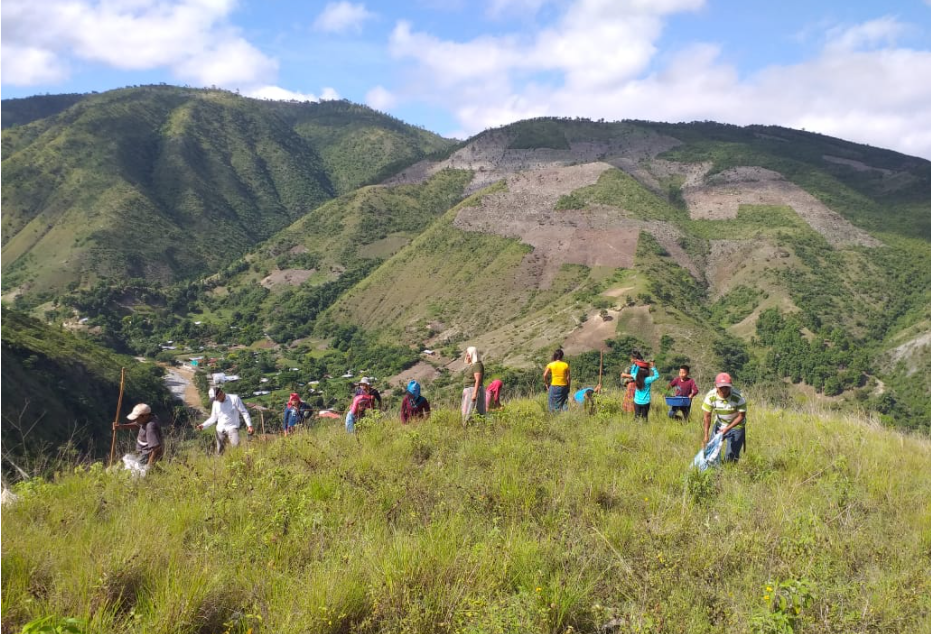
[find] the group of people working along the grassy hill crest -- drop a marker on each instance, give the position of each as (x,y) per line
(723,406)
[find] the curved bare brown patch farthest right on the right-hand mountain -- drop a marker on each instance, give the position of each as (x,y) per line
(722,195)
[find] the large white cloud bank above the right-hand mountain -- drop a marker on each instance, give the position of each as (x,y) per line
(600,60)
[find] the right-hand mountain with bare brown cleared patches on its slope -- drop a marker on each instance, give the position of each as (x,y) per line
(798,257)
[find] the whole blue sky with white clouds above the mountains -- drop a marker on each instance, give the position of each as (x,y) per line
(858,70)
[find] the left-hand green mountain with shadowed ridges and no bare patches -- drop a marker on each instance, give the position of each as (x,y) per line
(196,176)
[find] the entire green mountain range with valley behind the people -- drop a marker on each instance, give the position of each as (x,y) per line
(798,261)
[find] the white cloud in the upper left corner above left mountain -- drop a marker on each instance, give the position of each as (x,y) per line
(192,38)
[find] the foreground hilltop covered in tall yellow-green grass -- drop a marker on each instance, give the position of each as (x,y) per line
(521,523)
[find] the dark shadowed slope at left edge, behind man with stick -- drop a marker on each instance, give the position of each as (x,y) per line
(59,388)
